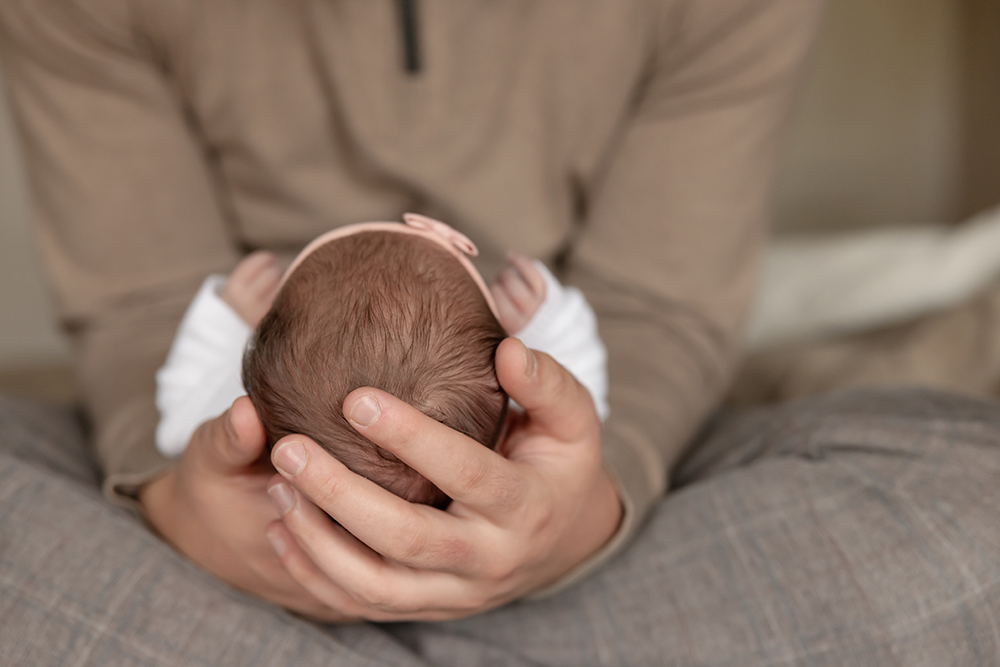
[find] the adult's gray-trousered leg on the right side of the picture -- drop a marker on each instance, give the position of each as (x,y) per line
(858,529)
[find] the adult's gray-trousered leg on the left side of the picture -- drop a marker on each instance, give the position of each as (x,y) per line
(82,582)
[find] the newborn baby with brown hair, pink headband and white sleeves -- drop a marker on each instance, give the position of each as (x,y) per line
(398,307)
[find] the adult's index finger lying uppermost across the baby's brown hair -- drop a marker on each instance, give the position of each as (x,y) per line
(466,471)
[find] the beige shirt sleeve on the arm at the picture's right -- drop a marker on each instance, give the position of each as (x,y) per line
(674,225)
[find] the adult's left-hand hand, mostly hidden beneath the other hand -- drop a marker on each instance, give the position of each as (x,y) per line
(214,509)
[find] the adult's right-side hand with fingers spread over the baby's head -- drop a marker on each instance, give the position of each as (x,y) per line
(518,521)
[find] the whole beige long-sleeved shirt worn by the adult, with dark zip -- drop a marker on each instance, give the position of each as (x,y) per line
(630,143)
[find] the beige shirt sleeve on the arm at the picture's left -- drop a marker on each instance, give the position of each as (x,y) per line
(108,147)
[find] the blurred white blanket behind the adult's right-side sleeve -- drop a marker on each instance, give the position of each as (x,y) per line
(841,283)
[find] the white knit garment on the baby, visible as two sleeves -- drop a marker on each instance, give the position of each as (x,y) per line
(201,377)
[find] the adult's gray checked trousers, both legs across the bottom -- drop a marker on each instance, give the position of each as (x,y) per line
(856,529)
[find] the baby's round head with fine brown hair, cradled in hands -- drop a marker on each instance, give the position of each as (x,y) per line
(382,309)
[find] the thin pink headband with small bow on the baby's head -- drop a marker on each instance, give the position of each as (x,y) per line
(454,242)
